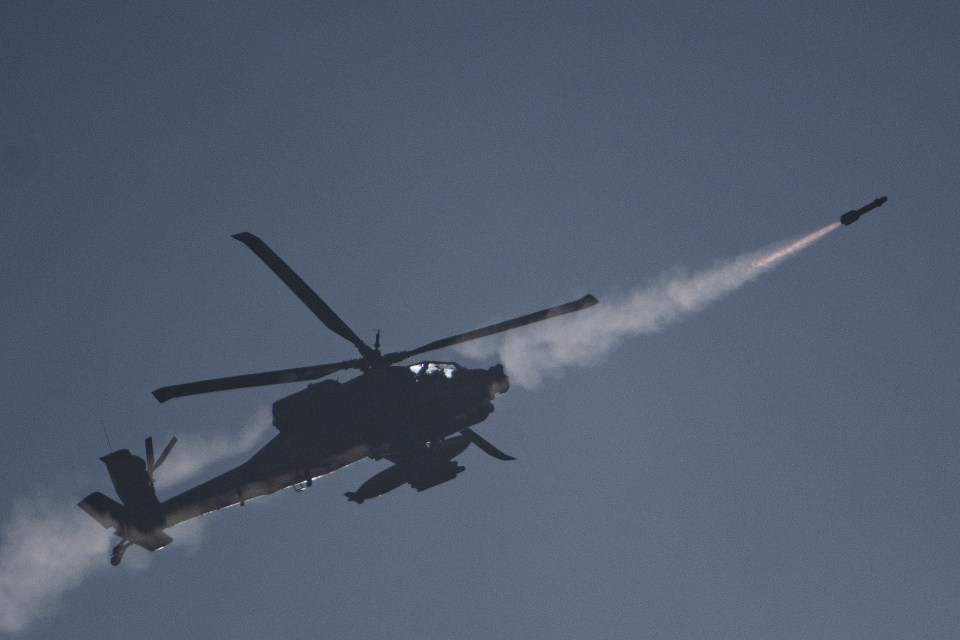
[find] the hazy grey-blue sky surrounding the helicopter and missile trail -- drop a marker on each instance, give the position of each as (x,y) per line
(781,463)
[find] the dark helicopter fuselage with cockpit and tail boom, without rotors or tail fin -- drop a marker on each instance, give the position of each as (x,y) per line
(384,412)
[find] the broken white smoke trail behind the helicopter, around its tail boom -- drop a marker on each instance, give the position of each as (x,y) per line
(48,547)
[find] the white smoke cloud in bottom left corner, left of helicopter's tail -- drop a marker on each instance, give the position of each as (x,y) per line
(46,548)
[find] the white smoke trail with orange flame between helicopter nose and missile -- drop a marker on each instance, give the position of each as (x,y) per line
(584,338)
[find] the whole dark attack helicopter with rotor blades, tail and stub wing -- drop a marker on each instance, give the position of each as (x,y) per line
(418,417)
